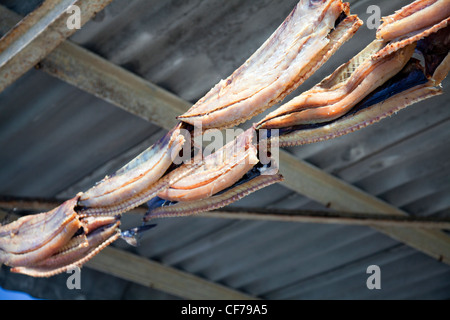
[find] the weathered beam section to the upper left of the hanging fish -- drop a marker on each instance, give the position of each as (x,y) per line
(91,73)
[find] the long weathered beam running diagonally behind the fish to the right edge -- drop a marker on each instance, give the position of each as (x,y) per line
(79,67)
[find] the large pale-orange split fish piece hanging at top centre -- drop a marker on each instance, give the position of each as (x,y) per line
(304,42)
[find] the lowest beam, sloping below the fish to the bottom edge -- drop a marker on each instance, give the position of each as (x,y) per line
(152,274)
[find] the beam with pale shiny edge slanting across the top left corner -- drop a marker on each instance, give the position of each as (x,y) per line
(39,33)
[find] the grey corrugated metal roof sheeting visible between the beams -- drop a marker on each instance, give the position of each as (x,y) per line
(57,140)
